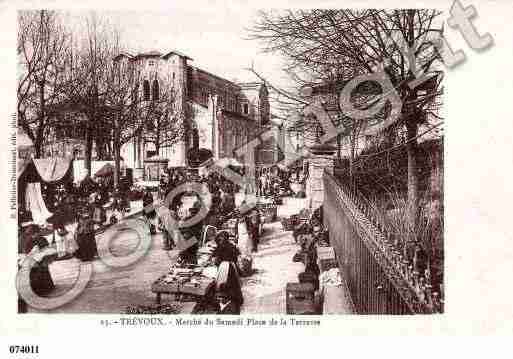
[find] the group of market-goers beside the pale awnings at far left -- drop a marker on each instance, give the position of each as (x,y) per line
(78,211)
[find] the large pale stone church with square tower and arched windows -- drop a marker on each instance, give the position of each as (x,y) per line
(224,115)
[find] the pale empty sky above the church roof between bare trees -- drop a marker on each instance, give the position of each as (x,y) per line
(214,37)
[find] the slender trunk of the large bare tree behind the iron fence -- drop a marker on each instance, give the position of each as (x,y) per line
(413,181)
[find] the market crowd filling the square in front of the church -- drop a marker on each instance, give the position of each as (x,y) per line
(80,210)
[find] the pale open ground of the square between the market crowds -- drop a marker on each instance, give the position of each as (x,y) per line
(111,290)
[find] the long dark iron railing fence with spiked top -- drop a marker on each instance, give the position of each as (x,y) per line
(381,279)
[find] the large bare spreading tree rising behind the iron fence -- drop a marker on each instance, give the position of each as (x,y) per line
(348,43)
